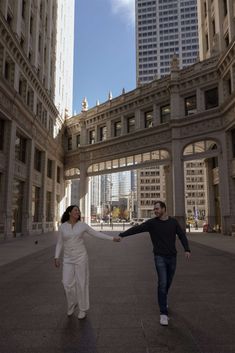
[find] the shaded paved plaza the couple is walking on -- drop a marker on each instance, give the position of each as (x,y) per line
(123,317)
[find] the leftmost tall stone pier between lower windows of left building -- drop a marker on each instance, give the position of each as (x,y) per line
(9,177)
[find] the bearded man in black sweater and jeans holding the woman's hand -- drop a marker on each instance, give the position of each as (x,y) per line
(162,230)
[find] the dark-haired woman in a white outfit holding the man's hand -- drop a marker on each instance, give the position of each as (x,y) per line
(75,276)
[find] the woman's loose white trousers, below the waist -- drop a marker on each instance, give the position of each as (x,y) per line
(76,284)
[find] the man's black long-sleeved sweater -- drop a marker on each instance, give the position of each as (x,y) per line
(163,235)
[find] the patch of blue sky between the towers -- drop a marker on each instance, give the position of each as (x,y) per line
(104,50)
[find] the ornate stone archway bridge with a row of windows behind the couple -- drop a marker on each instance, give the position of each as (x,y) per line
(184,117)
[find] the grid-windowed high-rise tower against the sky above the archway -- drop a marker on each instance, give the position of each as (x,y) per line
(164,28)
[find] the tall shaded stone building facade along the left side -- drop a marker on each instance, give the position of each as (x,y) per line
(31,149)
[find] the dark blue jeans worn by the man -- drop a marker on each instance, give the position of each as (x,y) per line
(165,266)
